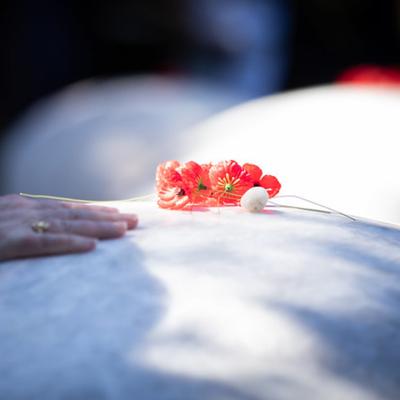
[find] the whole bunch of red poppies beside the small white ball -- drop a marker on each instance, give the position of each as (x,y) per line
(182,186)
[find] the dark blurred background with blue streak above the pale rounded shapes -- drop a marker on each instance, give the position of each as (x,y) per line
(255,46)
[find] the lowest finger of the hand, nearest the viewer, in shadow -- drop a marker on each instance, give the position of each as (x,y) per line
(32,244)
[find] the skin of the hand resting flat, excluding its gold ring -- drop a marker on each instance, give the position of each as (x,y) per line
(72,228)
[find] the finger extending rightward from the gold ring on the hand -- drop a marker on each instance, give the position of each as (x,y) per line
(94,229)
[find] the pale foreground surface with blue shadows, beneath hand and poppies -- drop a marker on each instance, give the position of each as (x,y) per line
(213,305)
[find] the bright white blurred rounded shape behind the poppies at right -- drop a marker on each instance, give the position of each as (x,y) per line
(335,145)
